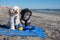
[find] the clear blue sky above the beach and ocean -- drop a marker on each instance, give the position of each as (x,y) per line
(32,4)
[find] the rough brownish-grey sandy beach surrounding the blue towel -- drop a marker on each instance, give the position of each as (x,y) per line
(49,22)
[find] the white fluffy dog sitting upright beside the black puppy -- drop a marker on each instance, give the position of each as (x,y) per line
(14,13)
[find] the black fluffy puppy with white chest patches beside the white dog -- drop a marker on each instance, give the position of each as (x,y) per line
(25,16)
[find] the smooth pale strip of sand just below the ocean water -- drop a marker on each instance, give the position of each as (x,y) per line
(48,16)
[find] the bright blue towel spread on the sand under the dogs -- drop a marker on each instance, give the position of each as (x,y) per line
(36,32)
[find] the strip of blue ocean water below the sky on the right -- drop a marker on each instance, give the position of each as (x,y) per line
(51,11)
